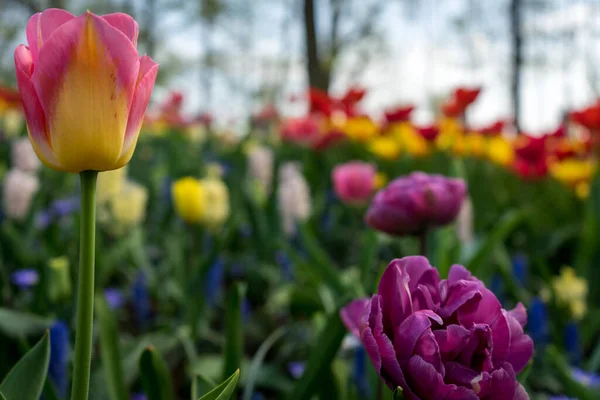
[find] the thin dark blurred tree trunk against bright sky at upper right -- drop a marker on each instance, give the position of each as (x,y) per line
(517,60)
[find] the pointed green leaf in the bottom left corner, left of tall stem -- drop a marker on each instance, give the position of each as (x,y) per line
(26,379)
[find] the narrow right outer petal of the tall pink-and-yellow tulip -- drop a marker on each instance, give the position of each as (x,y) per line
(141,98)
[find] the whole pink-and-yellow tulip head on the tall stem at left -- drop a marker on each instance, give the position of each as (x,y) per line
(84,89)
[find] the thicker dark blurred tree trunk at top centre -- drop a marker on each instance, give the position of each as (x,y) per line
(318,76)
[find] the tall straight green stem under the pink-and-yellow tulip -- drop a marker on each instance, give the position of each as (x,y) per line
(85,291)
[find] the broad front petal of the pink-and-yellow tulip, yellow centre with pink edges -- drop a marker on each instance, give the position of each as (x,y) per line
(85,78)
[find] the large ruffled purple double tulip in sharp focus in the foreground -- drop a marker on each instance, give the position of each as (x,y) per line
(441,339)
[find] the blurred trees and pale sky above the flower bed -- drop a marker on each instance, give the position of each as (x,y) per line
(535,58)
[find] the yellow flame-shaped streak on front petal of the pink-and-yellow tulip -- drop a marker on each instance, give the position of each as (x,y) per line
(88,124)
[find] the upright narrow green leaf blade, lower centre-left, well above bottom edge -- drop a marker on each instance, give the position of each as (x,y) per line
(234,335)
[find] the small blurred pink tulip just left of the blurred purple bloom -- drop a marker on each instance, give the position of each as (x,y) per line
(353,182)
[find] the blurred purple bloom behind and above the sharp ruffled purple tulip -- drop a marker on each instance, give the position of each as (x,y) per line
(413,203)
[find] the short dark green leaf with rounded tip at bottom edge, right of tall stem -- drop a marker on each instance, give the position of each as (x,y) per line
(155,376)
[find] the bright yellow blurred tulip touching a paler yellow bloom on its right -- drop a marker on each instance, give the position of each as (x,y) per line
(189,199)
